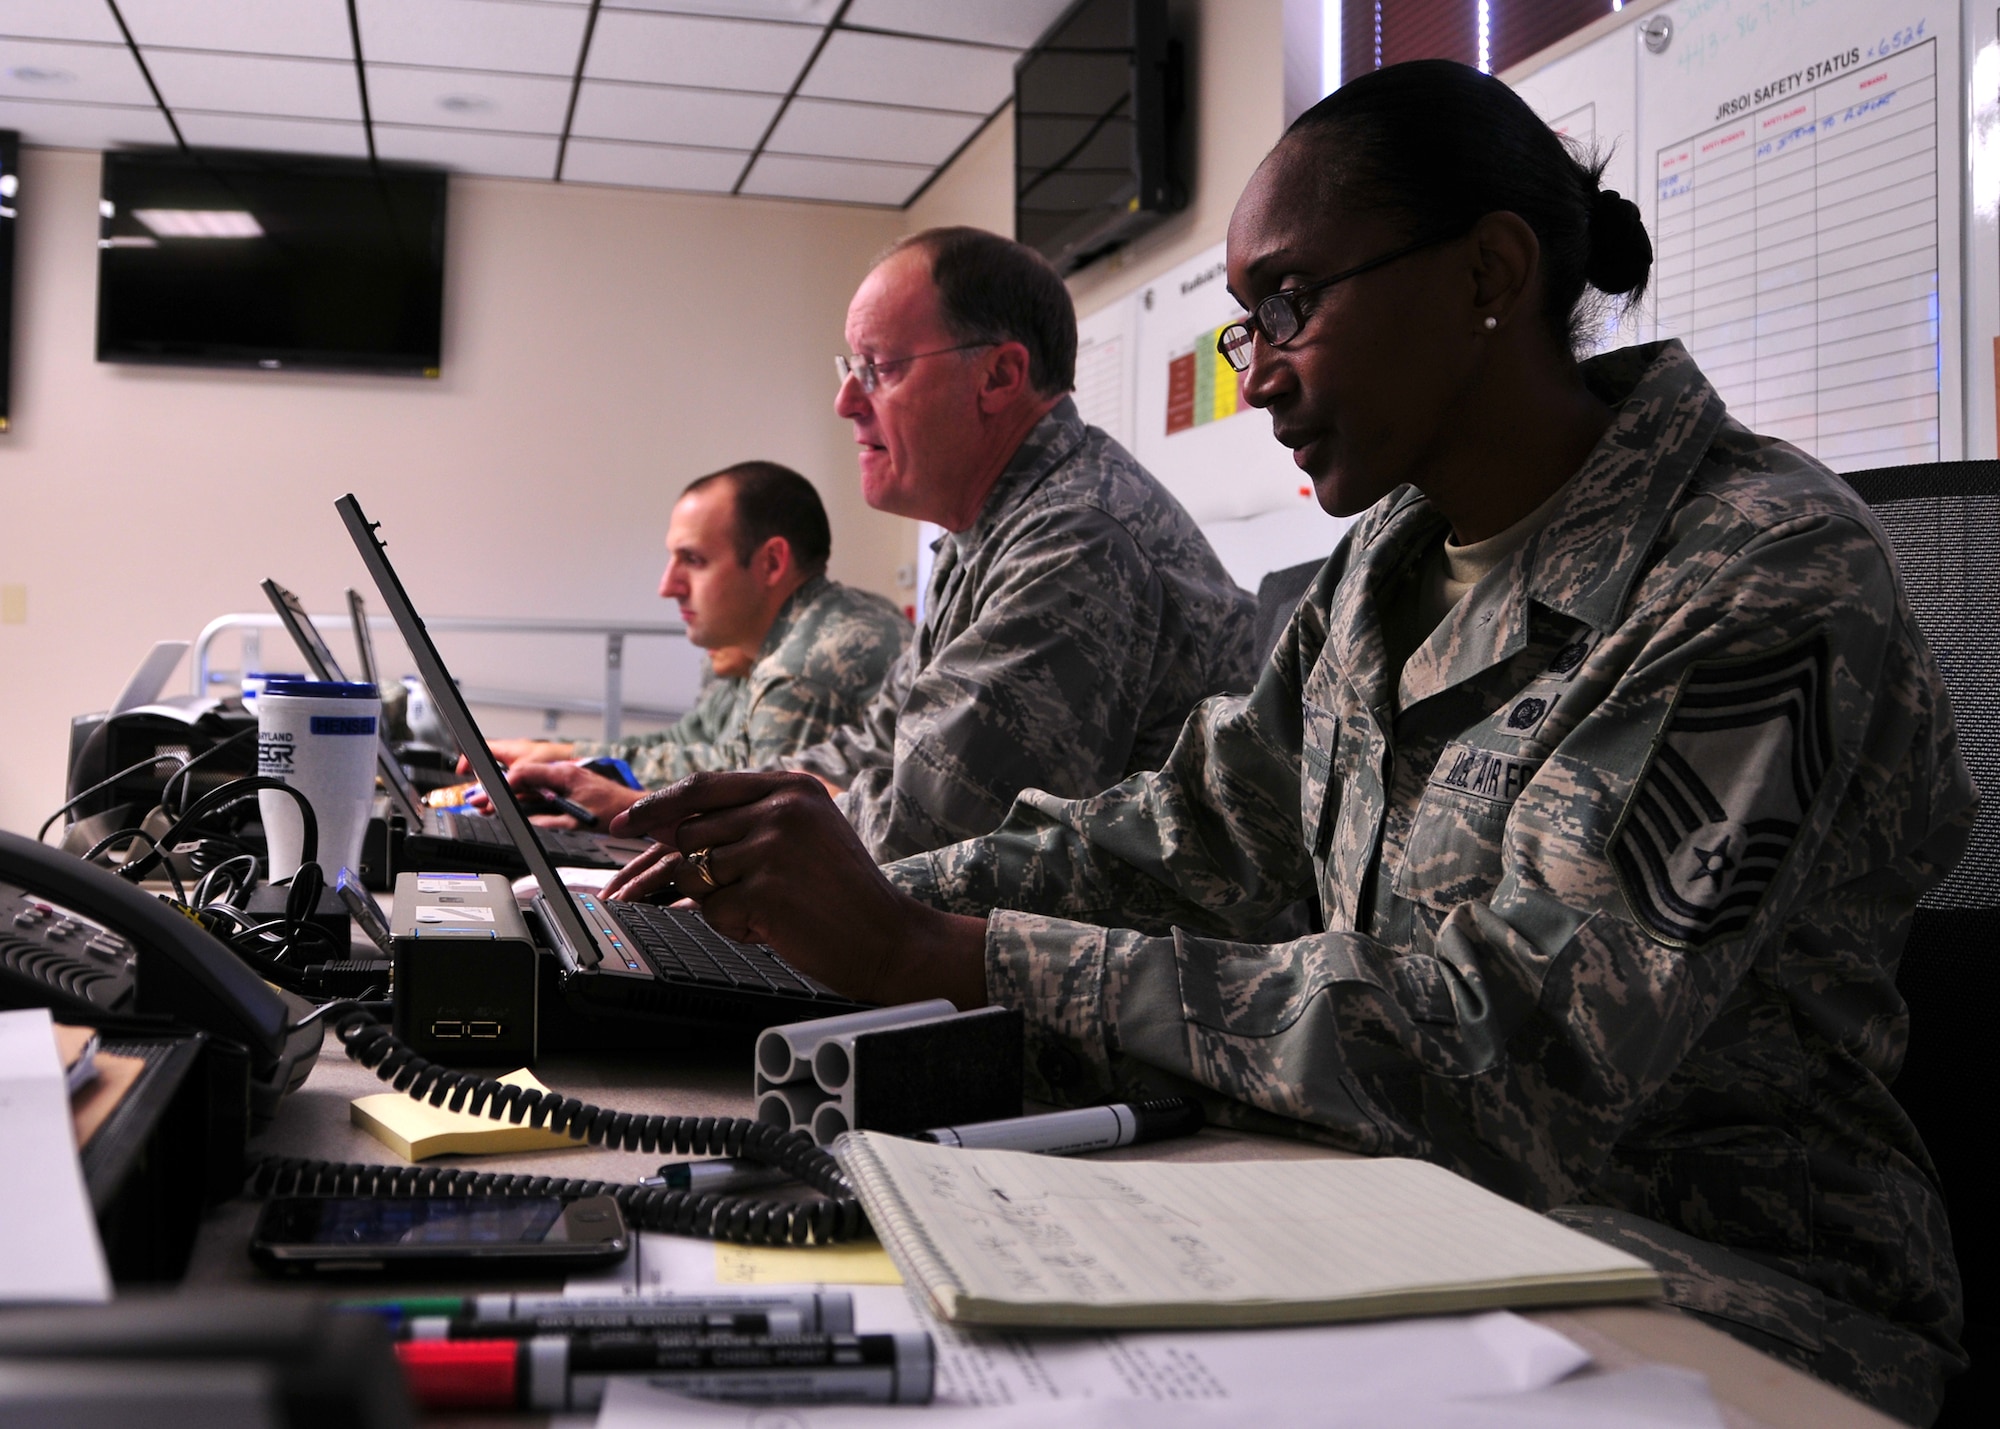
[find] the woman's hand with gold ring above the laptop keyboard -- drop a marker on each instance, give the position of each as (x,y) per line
(771,860)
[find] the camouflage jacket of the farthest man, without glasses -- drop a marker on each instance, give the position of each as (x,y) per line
(821,663)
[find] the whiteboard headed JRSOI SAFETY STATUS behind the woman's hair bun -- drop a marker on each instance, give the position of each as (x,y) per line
(1799,165)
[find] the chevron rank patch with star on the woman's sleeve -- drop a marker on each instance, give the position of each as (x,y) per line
(1725,794)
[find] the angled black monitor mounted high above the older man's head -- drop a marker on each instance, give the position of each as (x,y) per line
(1097,131)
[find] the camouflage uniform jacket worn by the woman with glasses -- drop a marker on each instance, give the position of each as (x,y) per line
(1615,882)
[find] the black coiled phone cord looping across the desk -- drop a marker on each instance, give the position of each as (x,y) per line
(827,1218)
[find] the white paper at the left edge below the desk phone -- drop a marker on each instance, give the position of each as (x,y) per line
(49,1238)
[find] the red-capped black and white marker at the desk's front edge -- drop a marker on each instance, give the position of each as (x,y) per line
(569,1372)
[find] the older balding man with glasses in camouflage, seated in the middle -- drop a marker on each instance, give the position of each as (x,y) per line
(1075,611)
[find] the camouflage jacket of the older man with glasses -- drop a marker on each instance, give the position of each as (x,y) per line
(1069,633)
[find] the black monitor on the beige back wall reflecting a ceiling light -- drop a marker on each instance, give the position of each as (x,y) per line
(271,261)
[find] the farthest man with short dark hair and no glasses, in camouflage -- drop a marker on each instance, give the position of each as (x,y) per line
(793,655)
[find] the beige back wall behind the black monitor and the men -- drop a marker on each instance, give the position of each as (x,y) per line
(601,347)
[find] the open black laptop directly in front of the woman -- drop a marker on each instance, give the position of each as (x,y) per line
(625,960)
